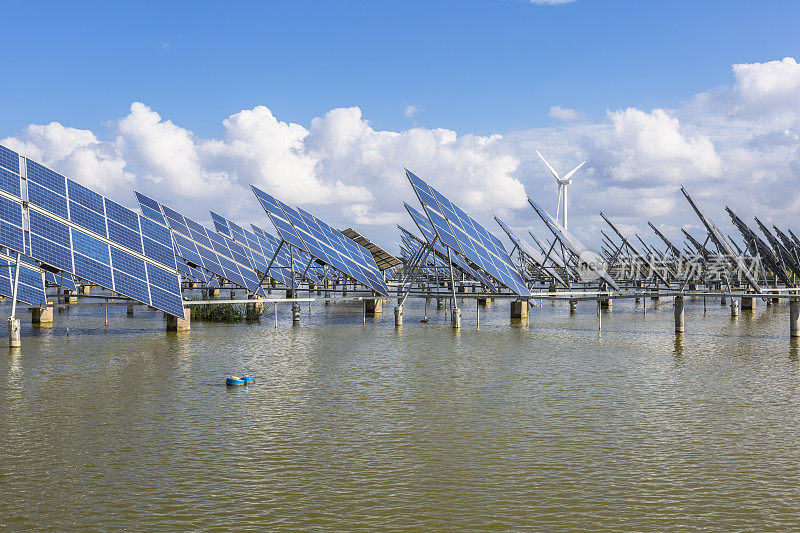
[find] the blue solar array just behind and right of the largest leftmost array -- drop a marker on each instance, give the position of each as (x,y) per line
(201,247)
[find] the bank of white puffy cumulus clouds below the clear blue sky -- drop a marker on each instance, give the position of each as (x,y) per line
(737,145)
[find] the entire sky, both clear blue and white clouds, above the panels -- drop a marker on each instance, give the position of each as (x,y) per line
(324,104)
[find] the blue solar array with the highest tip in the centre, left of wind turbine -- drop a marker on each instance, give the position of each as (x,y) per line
(465,236)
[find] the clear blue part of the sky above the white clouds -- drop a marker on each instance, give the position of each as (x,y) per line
(479,67)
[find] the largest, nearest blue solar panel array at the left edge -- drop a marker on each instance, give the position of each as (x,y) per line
(76,230)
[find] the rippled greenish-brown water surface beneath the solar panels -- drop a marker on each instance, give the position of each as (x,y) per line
(354,426)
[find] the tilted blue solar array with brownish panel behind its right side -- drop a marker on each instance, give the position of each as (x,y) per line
(306,232)
